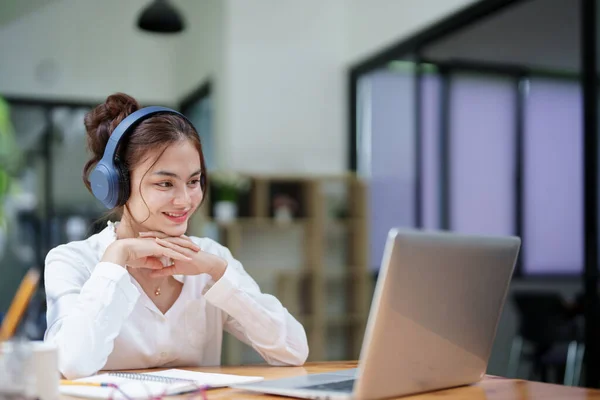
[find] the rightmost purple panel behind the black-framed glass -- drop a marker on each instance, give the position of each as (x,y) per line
(553,236)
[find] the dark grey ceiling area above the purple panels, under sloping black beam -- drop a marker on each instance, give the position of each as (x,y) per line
(535,33)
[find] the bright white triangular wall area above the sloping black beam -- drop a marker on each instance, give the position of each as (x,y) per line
(376,24)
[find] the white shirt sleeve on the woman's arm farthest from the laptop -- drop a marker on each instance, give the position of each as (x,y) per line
(85,311)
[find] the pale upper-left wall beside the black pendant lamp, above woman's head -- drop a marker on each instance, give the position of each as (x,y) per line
(86,50)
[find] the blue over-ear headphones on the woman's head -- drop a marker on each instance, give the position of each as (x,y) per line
(110,179)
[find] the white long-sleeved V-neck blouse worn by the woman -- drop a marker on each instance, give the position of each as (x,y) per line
(100,318)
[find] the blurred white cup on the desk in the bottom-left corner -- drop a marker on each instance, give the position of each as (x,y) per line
(34,365)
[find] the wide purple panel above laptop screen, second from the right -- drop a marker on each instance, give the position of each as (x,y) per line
(482,158)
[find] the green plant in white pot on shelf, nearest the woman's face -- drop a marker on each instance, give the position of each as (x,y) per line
(227,187)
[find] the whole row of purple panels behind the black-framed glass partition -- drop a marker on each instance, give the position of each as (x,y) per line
(482,156)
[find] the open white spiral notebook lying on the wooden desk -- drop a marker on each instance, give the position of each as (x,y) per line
(151,384)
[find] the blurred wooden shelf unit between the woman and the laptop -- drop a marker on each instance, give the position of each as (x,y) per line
(325,283)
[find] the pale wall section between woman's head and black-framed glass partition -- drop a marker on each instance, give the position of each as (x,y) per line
(286,86)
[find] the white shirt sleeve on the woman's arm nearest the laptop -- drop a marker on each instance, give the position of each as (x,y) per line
(256,318)
